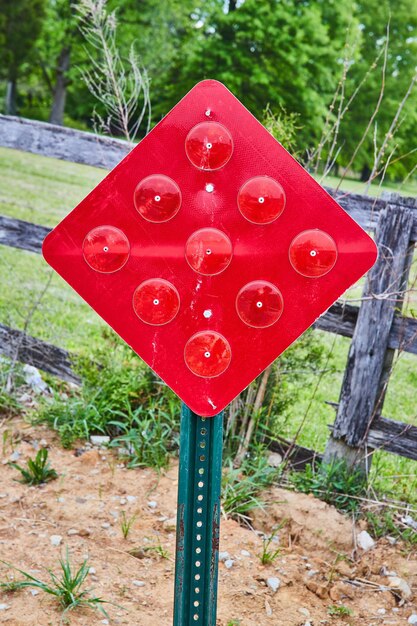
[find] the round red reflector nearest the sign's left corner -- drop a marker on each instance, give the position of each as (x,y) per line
(106,249)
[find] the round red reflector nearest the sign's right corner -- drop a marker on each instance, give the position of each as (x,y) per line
(313,253)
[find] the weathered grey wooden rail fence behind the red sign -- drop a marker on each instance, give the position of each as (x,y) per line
(377,328)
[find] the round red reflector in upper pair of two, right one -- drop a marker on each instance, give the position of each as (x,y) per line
(261,200)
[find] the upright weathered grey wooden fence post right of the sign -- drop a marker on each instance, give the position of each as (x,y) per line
(369,359)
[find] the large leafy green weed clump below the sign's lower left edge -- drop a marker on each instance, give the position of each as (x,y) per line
(114,399)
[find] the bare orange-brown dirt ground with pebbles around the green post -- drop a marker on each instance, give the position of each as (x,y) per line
(319,567)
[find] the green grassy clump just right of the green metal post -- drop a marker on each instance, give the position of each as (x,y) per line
(241,488)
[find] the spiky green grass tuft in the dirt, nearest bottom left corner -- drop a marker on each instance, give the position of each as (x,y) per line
(66,587)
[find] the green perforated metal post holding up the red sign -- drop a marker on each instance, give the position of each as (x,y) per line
(198,519)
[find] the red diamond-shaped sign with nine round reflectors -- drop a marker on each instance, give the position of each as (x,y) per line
(209,249)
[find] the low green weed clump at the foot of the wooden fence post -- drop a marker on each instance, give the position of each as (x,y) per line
(335,483)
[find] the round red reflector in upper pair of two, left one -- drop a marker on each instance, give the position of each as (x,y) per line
(157,198)
